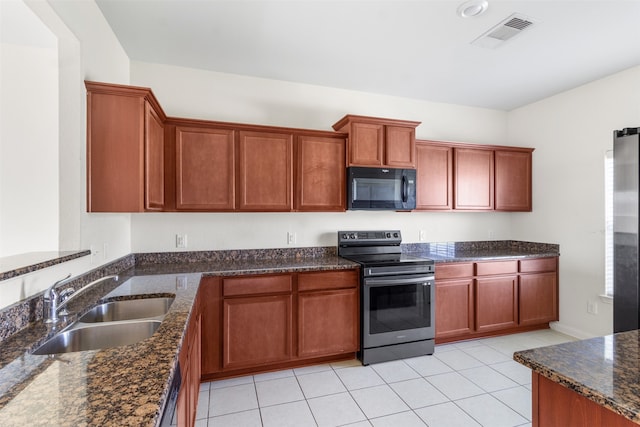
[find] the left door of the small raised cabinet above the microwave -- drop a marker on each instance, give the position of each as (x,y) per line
(366,144)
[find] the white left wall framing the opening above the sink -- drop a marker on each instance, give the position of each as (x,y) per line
(87,49)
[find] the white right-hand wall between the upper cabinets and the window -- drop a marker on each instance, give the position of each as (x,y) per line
(571,132)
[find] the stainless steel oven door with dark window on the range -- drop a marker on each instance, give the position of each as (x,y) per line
(397,309)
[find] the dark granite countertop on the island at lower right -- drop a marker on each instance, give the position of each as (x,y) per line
(605,369)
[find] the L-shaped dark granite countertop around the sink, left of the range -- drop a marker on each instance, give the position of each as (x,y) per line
(125,385)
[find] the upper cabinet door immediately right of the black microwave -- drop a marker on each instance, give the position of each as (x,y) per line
(434,177)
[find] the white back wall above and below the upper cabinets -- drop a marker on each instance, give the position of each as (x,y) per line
(192,93)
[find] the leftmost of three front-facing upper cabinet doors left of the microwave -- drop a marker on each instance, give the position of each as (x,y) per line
(205,169)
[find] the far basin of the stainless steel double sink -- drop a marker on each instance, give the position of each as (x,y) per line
(128,310)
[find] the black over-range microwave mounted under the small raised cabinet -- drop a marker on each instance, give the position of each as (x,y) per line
(381,189)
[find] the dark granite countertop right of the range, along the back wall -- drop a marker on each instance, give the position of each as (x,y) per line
(481,250)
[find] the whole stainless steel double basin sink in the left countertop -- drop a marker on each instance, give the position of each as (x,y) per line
(110,324)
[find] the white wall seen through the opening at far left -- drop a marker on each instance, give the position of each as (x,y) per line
(28,153)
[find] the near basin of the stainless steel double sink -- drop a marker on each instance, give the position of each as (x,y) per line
(98,336)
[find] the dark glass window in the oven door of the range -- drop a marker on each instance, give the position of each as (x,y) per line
(399,308)
